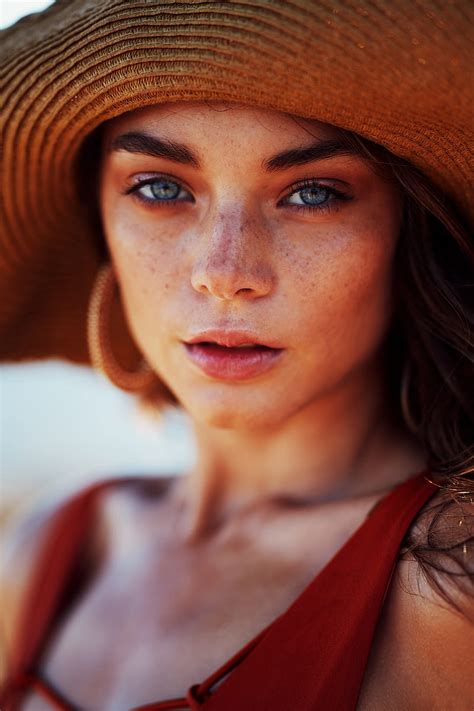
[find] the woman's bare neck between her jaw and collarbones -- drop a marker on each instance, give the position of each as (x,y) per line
(346,443)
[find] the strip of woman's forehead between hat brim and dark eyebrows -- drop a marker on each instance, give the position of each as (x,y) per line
(207,118)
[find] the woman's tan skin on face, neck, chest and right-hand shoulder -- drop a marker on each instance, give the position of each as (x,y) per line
(199,562)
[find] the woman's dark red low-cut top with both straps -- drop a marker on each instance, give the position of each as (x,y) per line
(312,656)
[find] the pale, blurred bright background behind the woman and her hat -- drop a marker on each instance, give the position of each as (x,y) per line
(62,426)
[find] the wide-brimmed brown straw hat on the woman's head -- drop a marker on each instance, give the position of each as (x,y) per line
(397,72)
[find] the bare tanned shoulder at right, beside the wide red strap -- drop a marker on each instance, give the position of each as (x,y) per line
(424,646)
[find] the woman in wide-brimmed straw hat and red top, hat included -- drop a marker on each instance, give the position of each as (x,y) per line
(291,254)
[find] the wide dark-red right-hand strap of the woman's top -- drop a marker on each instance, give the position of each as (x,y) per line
(314,655)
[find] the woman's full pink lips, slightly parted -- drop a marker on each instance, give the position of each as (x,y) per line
(216,354)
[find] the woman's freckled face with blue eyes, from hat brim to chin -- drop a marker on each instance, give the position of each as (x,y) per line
(222,228)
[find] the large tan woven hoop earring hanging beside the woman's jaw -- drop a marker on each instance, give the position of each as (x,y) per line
(100,350)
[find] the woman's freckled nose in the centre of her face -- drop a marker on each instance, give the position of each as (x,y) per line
(233,258)
